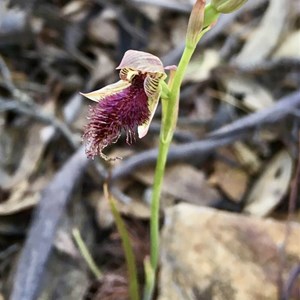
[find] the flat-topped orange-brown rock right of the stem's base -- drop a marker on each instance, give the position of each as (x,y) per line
(209,254)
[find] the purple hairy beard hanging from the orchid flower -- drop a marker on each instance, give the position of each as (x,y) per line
(125,110)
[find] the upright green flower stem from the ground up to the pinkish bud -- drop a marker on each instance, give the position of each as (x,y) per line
(168,126)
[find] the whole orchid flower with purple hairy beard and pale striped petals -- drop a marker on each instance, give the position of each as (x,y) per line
(128,104)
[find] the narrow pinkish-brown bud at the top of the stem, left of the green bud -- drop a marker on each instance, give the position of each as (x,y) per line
(195,23)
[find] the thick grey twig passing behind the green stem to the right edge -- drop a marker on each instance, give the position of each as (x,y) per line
(237,130)
